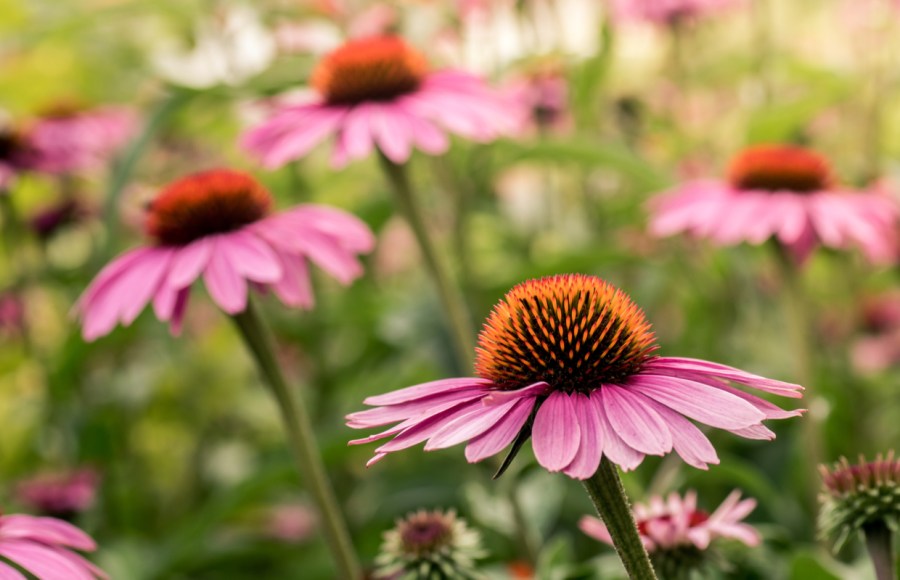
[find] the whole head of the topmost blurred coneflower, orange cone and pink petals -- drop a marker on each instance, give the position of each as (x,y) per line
(379,92)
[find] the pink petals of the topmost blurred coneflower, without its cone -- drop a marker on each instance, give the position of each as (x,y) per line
(447,100)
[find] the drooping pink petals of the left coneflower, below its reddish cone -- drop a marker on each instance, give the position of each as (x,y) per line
(271,253)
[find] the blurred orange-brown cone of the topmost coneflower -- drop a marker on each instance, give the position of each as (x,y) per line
(371,69)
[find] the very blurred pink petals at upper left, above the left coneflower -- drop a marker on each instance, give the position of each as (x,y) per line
(69,138)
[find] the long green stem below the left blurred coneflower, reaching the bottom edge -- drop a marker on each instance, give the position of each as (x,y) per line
(301,439)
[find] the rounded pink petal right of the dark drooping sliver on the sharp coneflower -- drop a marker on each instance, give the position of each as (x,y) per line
(556,435)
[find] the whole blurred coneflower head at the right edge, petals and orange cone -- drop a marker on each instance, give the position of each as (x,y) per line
(781,192)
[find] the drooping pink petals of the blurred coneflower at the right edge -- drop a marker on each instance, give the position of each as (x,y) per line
(799,221)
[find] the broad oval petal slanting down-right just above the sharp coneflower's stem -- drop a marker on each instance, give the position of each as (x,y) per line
(635,421)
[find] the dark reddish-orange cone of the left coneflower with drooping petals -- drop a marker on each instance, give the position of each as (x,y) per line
(206,203)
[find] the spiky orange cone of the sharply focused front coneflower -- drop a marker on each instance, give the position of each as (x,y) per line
(573,331)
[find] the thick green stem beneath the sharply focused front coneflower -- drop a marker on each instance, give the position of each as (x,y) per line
(608,495)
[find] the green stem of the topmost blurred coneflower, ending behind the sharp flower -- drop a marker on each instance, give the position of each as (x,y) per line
(452,300)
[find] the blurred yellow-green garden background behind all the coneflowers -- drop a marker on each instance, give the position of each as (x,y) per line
(185,436)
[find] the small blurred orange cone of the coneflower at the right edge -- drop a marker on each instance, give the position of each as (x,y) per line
(780,168)
